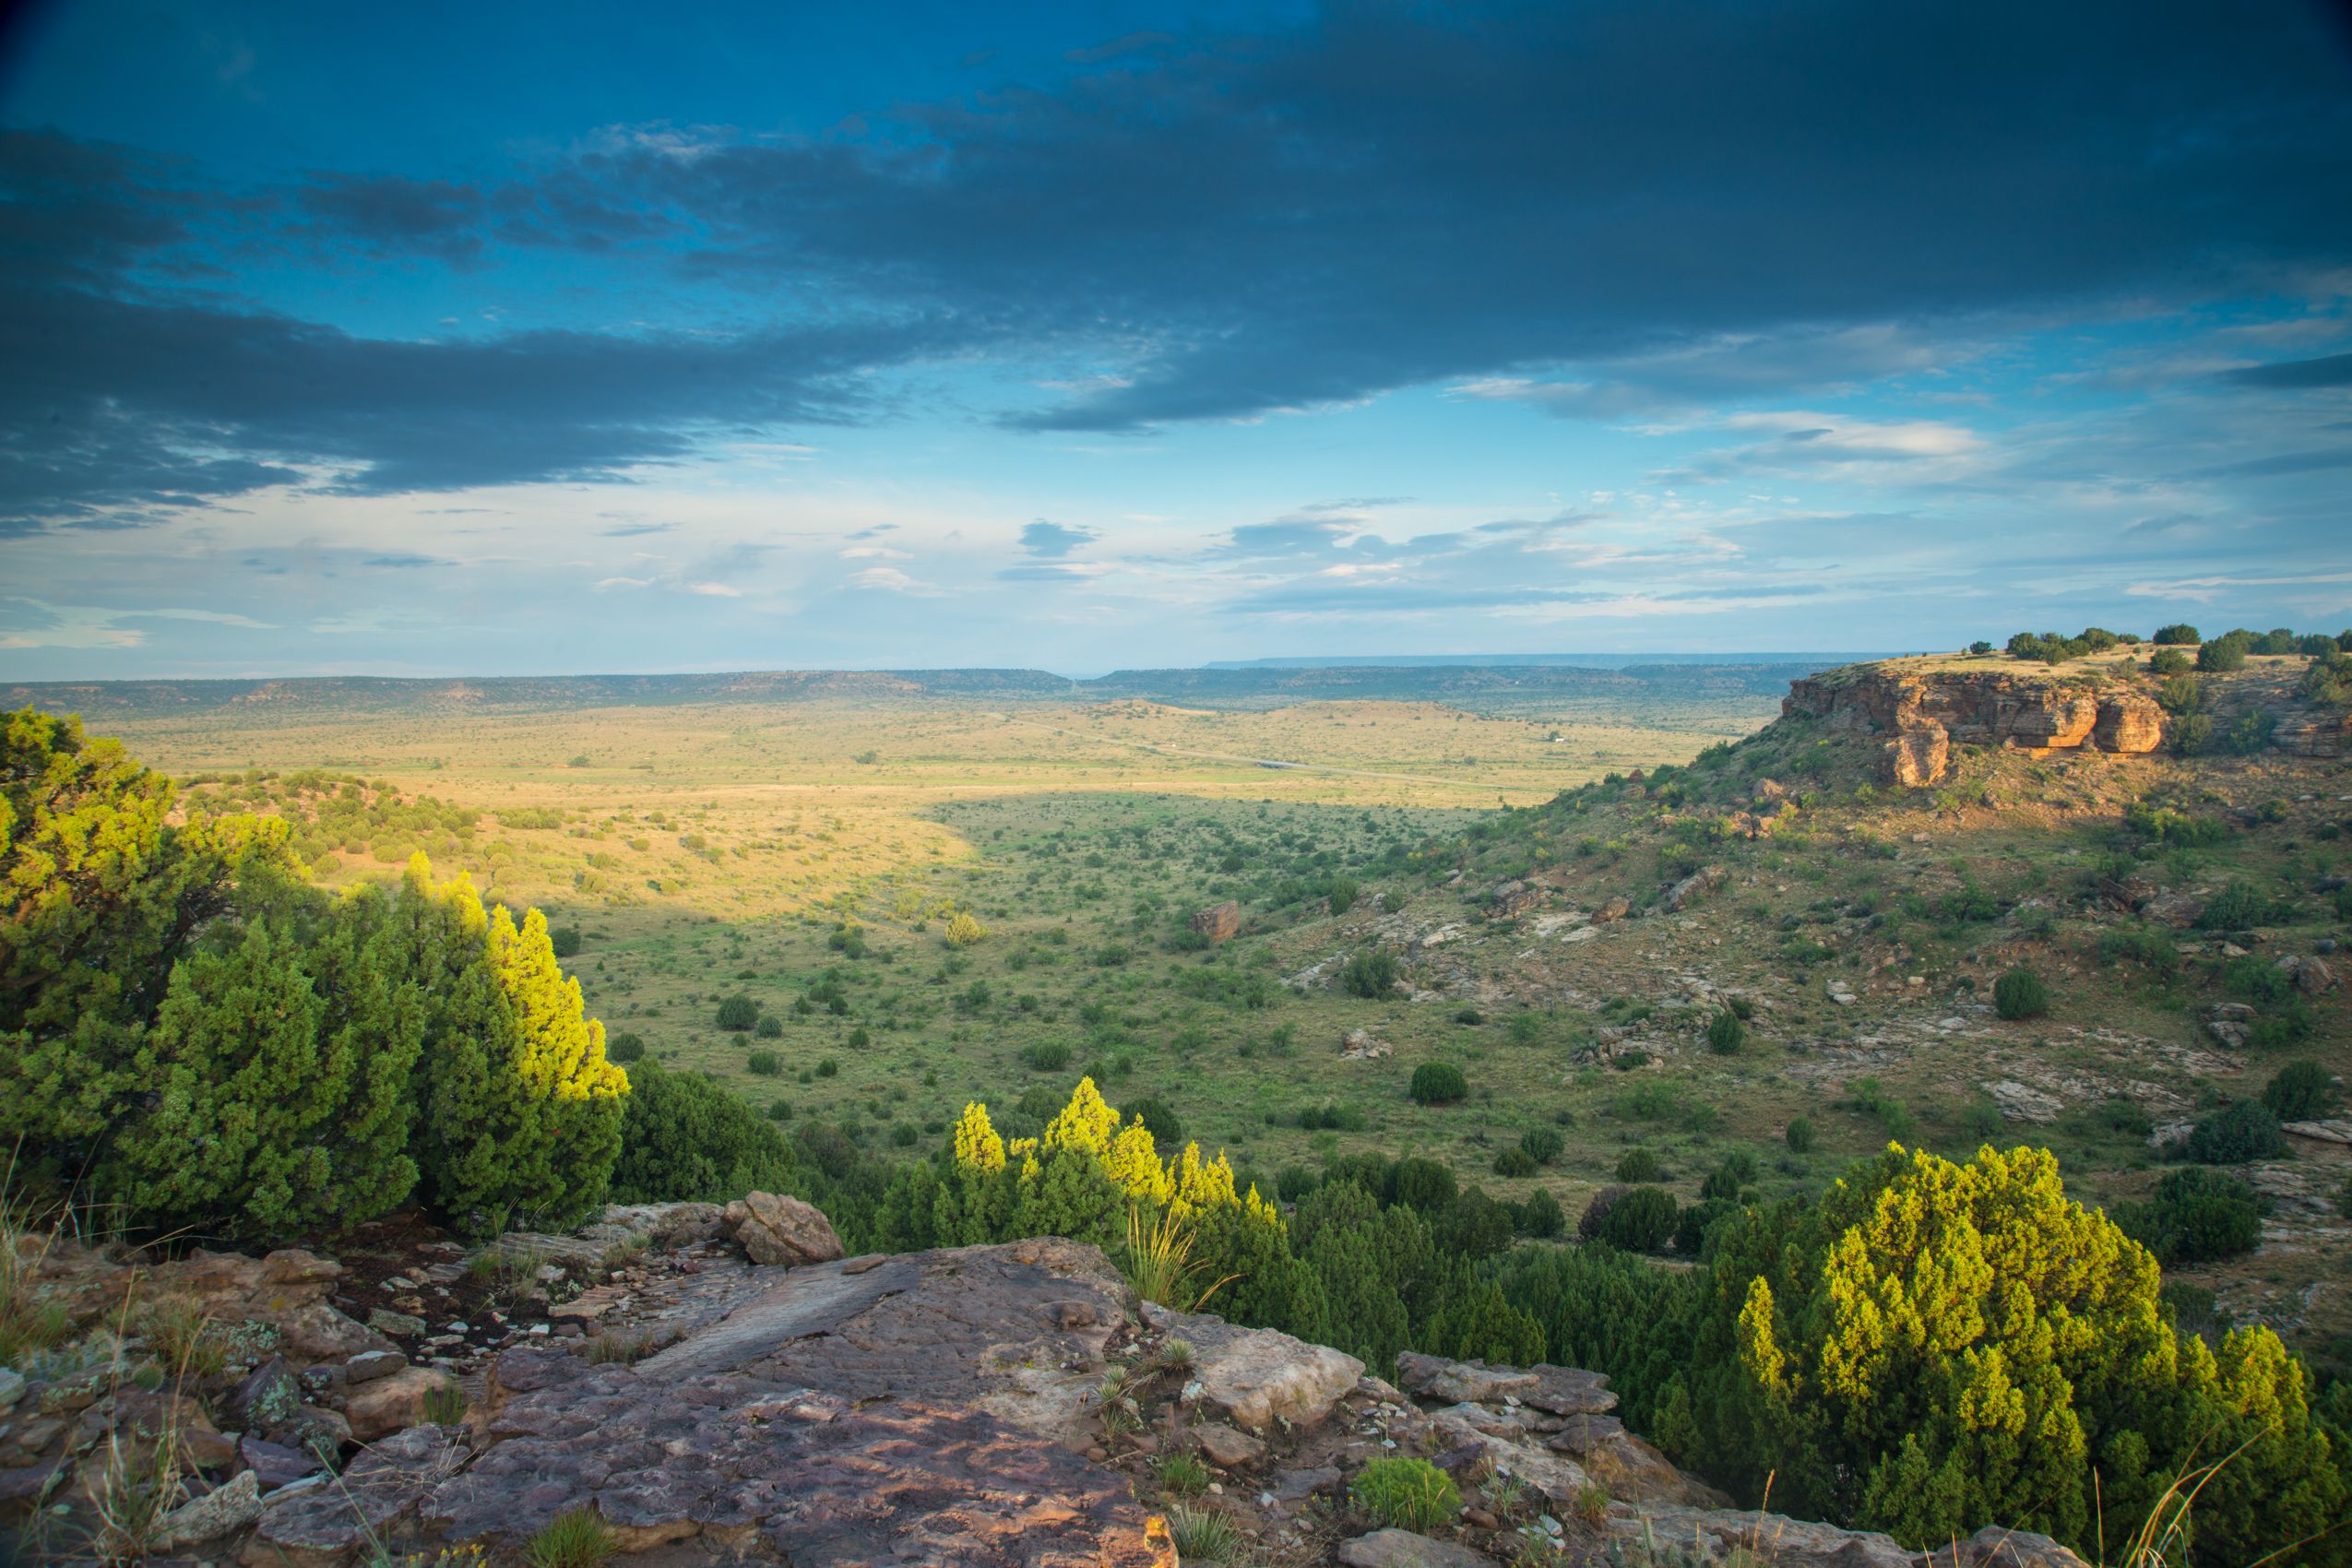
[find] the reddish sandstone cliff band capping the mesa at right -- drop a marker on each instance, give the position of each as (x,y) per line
(1925,716)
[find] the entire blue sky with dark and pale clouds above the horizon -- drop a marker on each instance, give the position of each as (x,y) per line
(1118,333)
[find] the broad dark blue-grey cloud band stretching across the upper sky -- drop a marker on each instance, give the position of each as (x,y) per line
(1688,196)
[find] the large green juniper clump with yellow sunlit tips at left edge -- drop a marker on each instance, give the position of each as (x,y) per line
(196,1036)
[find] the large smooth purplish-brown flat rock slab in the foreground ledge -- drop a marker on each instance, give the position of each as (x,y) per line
(900,1412)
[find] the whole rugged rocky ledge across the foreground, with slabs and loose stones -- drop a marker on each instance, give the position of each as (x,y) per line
(900,1409)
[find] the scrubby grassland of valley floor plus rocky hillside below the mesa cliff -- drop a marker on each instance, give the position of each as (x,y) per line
(810,859)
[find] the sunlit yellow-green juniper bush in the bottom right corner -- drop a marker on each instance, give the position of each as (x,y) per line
(2057,1301)
